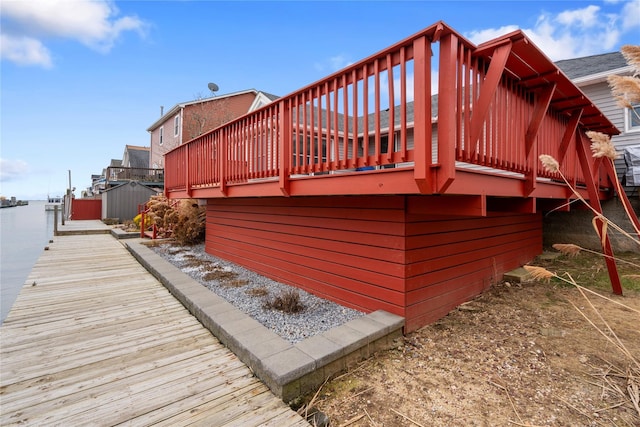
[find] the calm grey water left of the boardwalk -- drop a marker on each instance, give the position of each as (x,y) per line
(24,232)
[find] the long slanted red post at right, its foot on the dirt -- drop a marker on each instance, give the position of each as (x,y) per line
(594,202)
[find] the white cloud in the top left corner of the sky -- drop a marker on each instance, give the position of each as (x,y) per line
(95,24)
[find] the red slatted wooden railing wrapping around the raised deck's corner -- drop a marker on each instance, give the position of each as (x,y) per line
(429,103)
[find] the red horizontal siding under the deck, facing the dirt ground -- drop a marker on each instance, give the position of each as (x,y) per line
(453,261)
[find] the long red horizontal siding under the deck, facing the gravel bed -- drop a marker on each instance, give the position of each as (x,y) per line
(347,250)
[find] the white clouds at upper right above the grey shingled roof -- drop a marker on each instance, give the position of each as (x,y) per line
(573,33)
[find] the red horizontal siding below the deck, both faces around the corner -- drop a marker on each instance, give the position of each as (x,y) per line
(369,253)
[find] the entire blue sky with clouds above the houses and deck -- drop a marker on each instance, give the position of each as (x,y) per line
(81,79)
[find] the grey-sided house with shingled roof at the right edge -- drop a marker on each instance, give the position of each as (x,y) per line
(590,75)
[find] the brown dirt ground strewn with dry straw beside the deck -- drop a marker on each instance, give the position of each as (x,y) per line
(520,354)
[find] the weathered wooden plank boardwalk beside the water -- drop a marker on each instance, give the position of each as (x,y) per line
(94,339)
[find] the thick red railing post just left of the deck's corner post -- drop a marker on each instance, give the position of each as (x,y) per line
(422,114)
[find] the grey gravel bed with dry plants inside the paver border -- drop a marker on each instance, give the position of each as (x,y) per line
(250,292)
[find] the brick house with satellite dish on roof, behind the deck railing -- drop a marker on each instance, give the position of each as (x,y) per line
(188,120)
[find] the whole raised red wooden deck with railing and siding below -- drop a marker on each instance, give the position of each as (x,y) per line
(408,181)
